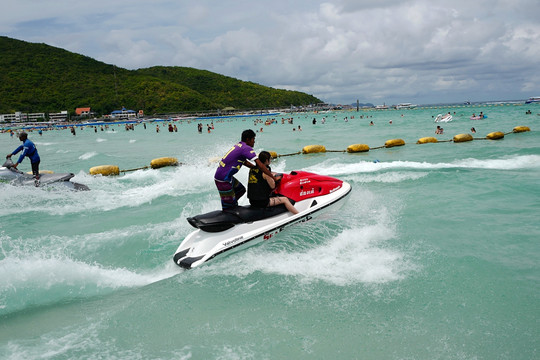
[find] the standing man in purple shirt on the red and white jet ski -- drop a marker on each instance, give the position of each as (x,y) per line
(230,189)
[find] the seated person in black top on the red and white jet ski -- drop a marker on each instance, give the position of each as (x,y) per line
(260,187)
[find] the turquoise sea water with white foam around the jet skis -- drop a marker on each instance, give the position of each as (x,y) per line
(435,254)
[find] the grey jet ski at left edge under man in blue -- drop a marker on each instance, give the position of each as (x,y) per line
(14,176)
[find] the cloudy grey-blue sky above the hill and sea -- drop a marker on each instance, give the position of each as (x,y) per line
(378,51)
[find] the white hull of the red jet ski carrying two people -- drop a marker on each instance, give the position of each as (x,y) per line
(201,246)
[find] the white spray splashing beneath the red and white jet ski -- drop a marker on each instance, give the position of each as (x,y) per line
(359,253)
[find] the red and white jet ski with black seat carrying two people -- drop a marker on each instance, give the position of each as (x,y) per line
(225,231)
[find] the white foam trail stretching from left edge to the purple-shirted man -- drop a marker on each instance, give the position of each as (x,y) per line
(108,193)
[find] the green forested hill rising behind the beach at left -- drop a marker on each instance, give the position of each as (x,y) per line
(43,78)
